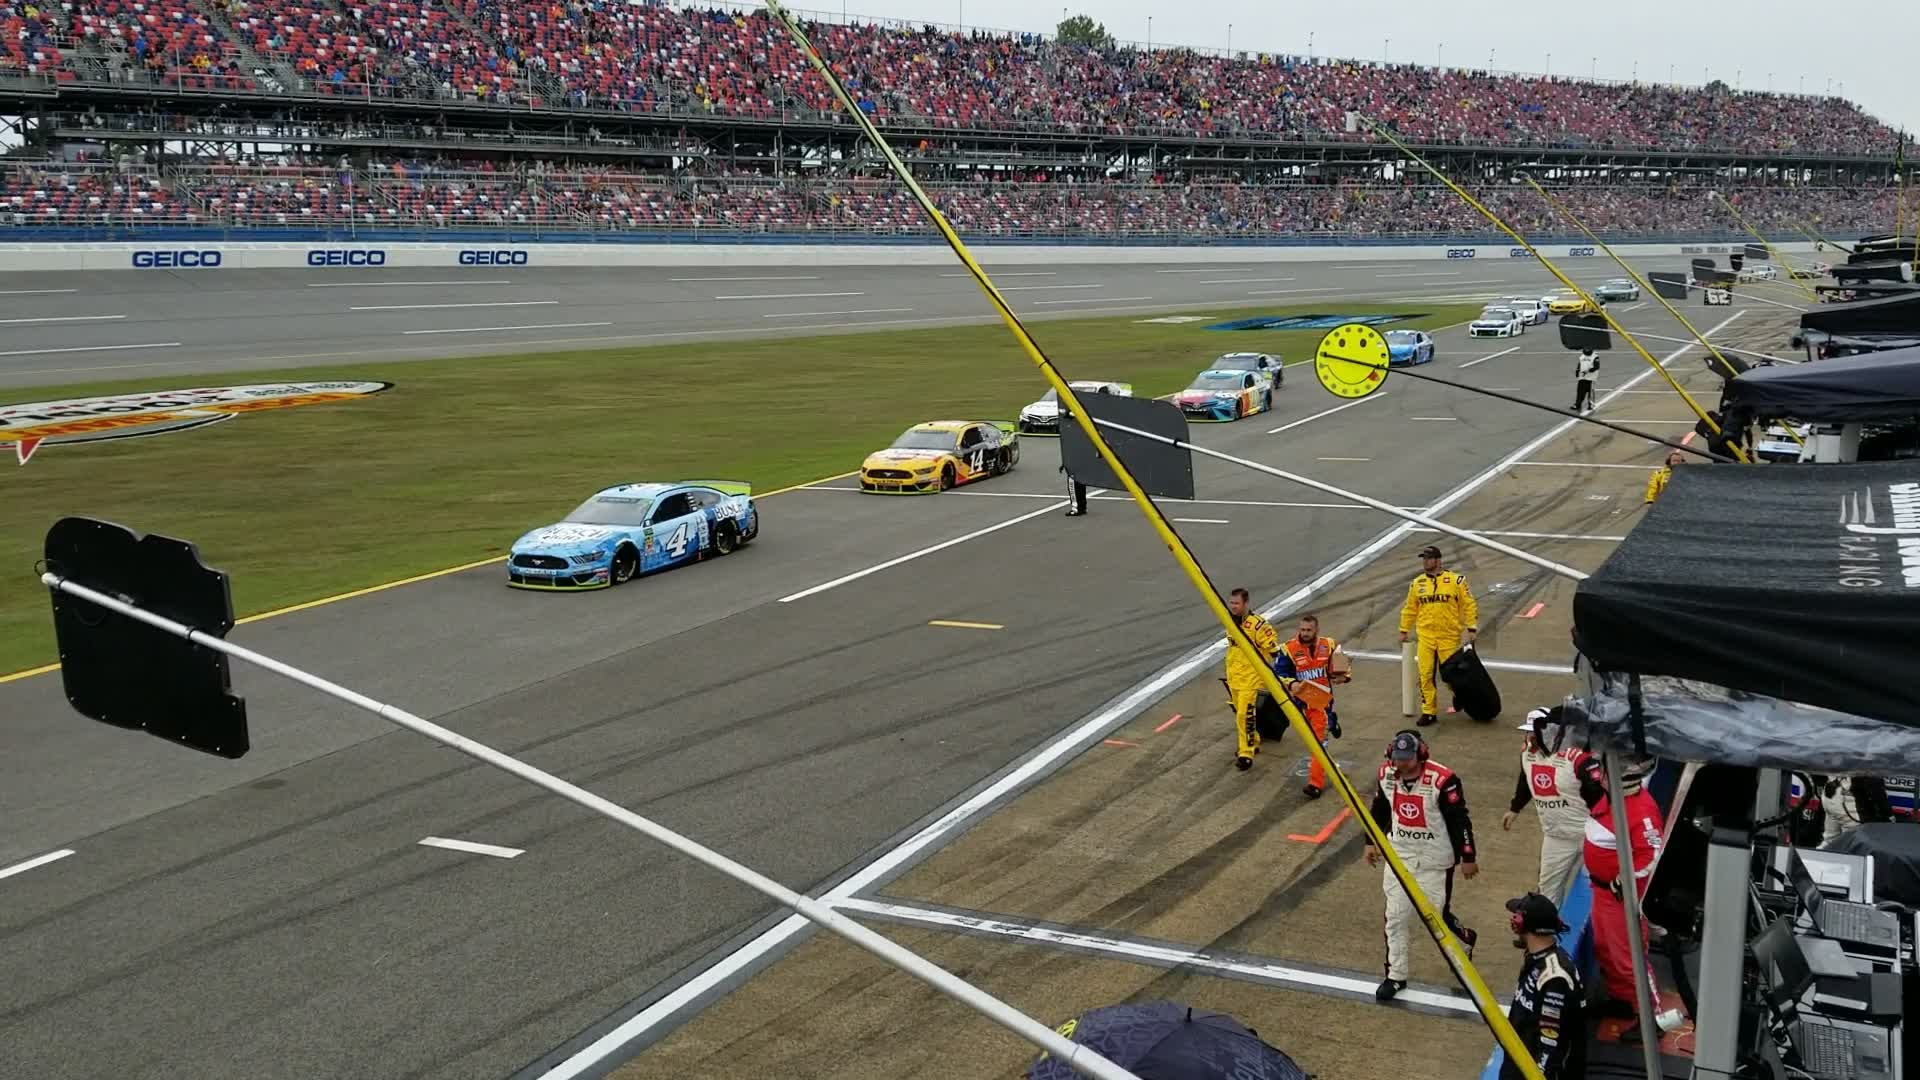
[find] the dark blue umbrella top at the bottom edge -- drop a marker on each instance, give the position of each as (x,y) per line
(1164,1041)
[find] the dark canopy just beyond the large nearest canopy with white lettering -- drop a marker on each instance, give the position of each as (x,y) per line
(1848,389)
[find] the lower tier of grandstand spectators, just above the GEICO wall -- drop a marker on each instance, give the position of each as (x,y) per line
(431,193)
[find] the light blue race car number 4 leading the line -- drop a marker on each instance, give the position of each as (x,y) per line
(635,529)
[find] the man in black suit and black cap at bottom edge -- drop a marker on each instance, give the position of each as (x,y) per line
(1550,1006)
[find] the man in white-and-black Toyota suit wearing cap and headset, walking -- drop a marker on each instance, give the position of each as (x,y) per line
(1422,808)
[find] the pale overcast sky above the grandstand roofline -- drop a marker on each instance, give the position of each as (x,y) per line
(1792,45)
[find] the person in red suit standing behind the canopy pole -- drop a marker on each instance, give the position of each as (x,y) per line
(1604,868)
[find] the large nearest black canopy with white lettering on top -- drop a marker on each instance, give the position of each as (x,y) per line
(1764,616)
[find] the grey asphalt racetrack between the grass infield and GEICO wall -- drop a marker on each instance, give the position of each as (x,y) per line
(76,328)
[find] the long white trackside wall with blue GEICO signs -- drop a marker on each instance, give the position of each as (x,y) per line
(185,257)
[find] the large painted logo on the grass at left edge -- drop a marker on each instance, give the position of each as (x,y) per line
(30,426)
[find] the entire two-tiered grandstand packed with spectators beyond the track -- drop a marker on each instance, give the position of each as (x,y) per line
(648,122)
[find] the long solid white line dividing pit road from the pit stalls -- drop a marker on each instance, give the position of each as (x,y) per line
(1040,764)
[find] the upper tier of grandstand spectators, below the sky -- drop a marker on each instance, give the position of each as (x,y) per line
(629,57)
